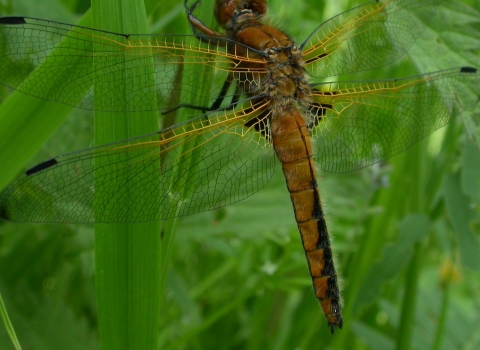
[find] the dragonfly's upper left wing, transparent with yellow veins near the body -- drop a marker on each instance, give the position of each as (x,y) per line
(60,62)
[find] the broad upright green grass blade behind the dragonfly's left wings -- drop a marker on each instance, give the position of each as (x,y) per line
(127,256)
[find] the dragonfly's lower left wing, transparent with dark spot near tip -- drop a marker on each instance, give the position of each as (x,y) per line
(200,165)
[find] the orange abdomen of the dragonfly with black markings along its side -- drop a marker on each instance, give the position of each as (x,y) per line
(293,147)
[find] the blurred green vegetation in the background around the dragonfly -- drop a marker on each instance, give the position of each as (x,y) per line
(406,232)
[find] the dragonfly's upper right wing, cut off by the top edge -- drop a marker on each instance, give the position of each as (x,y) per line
(367,37)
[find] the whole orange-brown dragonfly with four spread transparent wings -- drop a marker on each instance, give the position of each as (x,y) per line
(269,100)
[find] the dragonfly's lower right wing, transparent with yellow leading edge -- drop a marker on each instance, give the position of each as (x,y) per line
(362,123)
